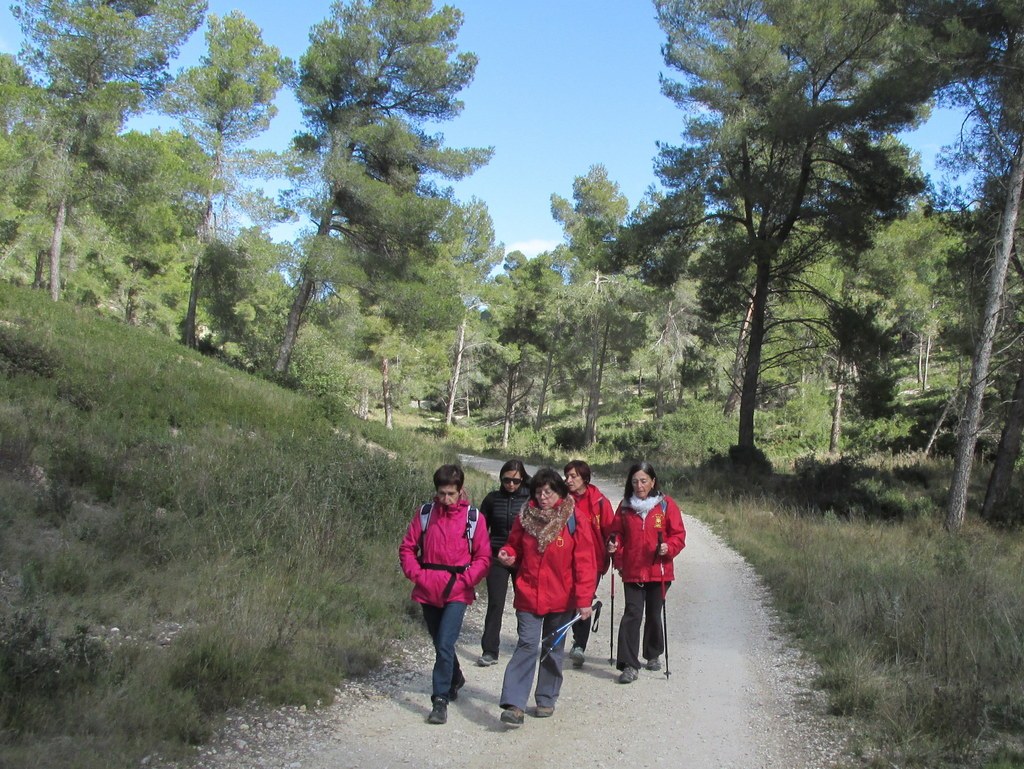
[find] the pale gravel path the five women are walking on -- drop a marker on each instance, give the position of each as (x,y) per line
(739,697)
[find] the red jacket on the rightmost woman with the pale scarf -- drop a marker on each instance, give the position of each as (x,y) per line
(637,542)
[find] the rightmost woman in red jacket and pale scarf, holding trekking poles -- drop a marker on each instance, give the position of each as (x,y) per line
(647,534)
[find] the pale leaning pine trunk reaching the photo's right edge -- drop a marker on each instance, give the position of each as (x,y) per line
(967,436)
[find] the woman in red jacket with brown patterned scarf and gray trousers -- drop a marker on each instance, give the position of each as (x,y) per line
(556,578)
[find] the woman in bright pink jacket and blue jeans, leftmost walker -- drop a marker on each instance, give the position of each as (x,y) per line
(446,552)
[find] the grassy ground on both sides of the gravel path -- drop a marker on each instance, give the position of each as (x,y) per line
(177,537)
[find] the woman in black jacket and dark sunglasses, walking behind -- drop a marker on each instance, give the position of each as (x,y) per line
(500,509)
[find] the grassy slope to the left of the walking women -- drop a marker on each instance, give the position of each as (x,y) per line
(176,537)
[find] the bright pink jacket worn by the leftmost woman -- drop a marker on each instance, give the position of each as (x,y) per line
(445,543)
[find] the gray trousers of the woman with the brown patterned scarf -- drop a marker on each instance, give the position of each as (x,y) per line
(520,673)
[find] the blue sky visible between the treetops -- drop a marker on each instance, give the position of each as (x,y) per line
(562,86)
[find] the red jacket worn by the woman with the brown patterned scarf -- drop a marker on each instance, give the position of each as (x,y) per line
(564,578)
